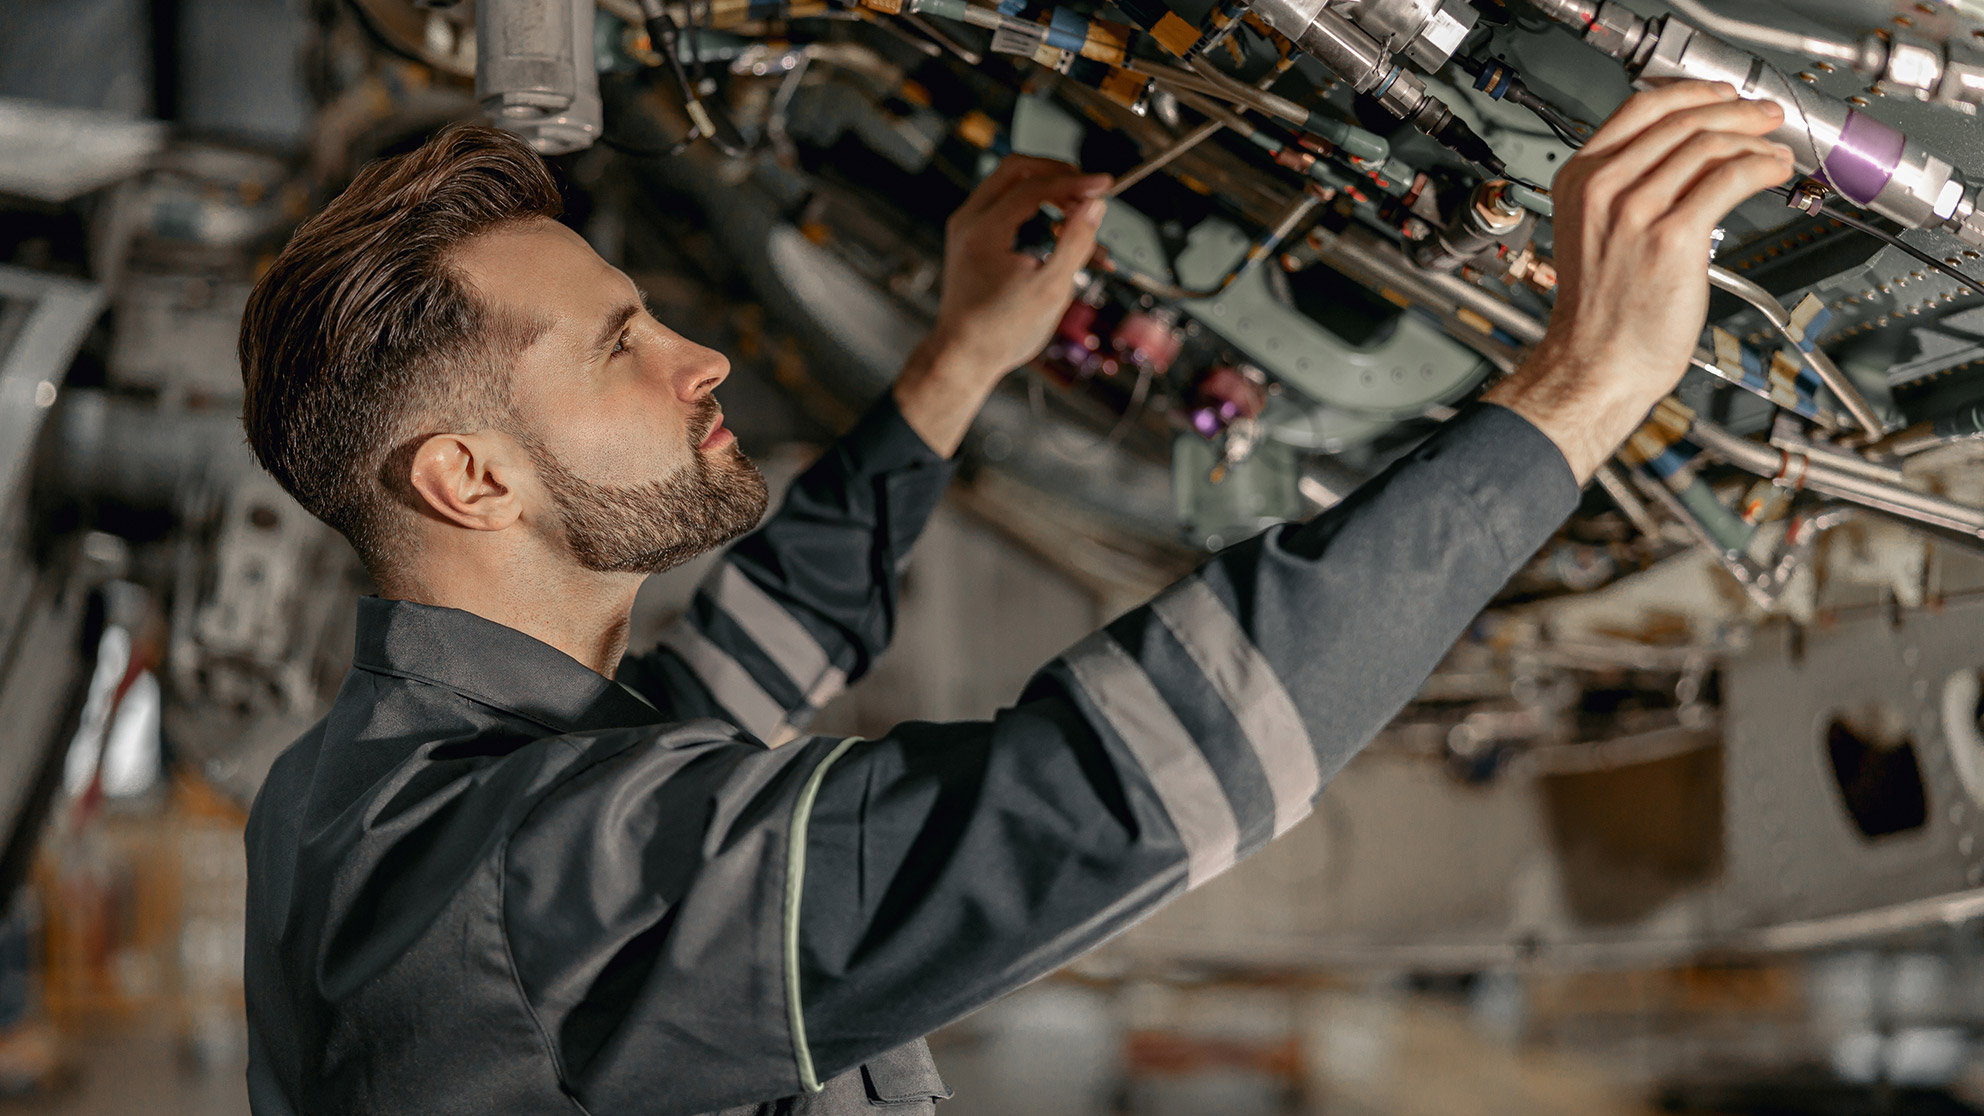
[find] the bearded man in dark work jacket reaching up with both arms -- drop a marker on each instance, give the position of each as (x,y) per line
(499,881)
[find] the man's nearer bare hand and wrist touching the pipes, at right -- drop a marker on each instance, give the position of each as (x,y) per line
(1636,211)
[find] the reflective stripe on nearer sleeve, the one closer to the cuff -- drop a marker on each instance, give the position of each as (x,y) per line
(1251,690)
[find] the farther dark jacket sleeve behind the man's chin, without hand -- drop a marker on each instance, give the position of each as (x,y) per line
(803,607)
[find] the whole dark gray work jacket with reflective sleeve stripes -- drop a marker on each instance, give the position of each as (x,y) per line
(497,883)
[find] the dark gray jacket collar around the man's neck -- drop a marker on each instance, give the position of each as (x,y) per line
(495,666)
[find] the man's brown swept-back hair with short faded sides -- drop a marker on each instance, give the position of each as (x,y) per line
(362,339)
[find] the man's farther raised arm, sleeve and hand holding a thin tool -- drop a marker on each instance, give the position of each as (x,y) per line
(803,607)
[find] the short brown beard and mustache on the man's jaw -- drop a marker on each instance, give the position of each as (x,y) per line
(646,529)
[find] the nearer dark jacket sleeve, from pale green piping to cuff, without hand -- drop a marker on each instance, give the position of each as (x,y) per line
(947,865)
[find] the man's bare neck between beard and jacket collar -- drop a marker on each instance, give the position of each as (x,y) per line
(580,613)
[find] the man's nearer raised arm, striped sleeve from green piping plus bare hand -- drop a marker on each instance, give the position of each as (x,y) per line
(947,865)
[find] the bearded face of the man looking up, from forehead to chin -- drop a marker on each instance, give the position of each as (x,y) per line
(634,466)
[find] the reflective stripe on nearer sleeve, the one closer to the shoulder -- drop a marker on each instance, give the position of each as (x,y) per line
(1168,754)
